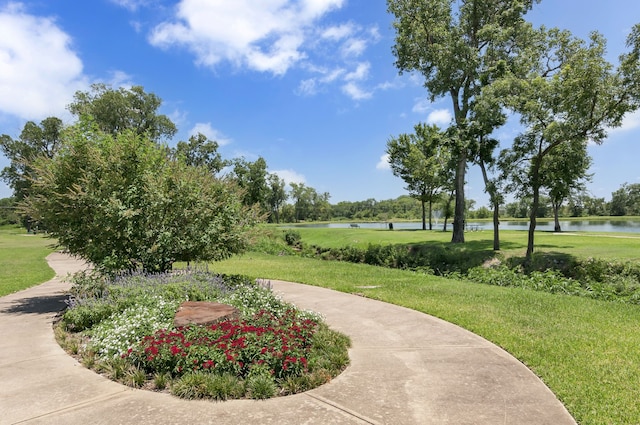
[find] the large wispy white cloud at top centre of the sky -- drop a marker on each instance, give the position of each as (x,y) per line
(265,36)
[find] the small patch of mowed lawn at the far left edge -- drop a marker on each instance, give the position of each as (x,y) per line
(22,259)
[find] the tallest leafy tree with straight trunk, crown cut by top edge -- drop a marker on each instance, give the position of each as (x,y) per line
(459,47)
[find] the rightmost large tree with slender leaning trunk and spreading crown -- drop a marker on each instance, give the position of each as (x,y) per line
(570,95)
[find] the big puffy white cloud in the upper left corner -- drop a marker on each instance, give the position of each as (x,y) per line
(39,71)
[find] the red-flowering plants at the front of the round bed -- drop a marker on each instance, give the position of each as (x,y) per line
(266,343)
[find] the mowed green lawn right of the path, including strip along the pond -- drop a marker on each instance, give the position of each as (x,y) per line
(586,351)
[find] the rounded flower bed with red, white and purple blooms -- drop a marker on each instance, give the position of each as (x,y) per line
(123,328)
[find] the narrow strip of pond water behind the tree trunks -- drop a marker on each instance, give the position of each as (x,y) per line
(621,226)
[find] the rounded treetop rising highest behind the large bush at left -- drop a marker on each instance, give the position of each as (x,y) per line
(117,110)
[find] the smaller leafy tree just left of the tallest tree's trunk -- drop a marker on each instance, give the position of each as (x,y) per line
(423,161)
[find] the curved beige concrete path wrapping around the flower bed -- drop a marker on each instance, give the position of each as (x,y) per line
(406,368)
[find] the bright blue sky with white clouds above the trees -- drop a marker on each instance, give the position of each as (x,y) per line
(309,85)
